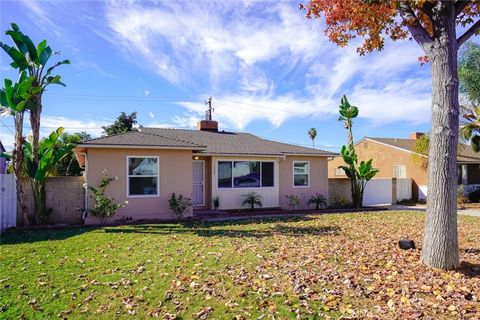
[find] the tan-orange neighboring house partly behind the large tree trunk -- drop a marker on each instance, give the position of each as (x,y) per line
(394,158)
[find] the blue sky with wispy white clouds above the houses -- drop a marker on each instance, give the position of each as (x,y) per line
(269,70)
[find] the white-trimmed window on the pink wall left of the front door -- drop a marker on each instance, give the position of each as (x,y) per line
(142,176)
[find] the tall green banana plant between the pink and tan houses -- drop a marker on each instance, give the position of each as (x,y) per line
(358,172)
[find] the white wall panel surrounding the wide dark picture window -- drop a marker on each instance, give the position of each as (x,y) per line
(232,198)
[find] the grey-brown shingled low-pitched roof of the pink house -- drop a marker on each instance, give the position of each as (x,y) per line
(204,142)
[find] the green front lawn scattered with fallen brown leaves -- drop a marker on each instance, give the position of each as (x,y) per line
(333,266)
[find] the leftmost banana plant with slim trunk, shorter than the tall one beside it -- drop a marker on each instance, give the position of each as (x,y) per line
(15,100)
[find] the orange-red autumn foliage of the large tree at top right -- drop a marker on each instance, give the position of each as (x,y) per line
(375,20)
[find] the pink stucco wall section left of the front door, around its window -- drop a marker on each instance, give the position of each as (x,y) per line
(175,176)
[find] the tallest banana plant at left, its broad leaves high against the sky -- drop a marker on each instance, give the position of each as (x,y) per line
(26,57)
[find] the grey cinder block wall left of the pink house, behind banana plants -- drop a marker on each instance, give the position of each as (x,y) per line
(64,194)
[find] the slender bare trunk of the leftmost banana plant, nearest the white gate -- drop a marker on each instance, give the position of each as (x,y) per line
(17,160)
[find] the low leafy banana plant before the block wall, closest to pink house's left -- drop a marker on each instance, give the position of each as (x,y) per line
(51,150)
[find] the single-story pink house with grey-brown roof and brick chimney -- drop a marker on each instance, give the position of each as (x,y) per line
(151,163)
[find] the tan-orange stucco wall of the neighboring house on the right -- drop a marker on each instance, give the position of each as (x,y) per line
(384,158)
